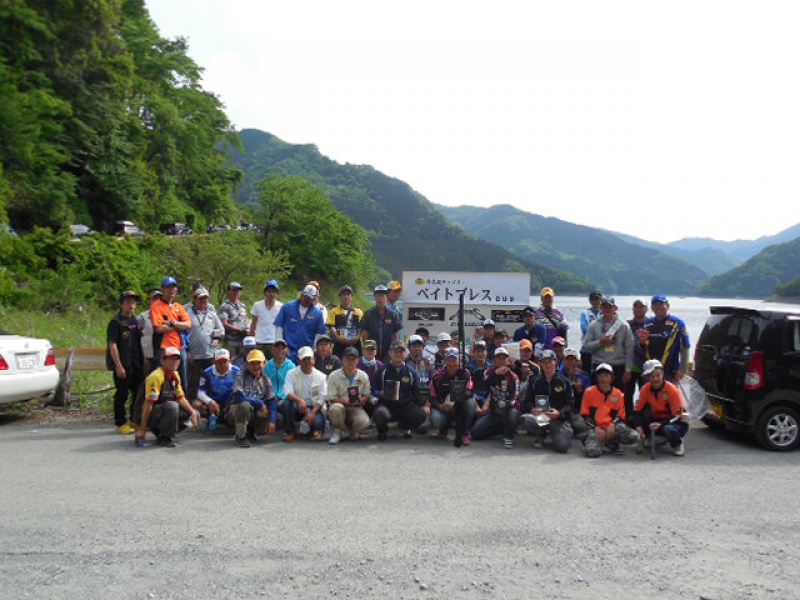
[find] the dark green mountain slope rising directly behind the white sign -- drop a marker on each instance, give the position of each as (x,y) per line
(406,231)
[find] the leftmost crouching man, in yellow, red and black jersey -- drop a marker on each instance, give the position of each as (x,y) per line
(165,405)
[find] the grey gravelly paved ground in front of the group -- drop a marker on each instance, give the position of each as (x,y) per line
(85,514)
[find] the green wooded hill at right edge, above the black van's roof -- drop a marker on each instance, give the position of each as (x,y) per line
(759,276)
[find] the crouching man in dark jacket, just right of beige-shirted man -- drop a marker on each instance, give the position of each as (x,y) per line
(399,397)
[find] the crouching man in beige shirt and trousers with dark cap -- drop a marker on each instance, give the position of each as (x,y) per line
(348,392)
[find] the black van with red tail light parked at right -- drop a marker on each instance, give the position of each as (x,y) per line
(748,362)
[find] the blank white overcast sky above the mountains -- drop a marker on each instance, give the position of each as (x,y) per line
(657,119)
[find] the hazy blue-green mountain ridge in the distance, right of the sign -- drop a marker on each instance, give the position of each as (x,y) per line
(615,265)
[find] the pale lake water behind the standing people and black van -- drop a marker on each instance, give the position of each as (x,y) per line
(692,310)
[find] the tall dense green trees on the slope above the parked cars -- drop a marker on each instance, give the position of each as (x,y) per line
(102,119)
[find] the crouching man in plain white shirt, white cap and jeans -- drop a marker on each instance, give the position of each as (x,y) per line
(306,391)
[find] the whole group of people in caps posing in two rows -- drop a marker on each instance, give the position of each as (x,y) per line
(333,373)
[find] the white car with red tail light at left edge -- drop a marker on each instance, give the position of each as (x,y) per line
(27,368)
